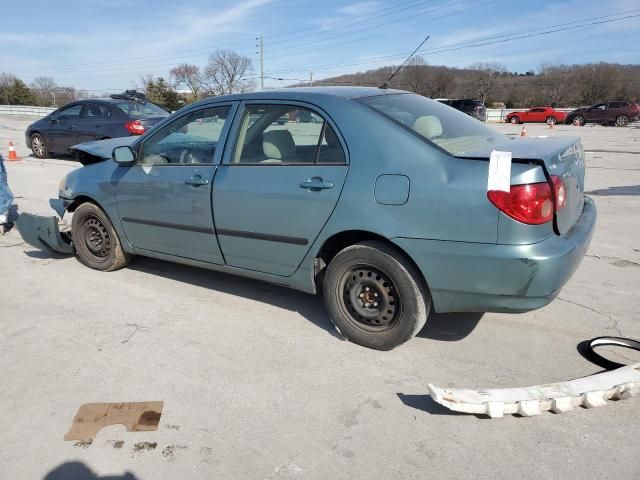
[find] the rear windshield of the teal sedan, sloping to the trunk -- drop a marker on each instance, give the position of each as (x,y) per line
(448,128)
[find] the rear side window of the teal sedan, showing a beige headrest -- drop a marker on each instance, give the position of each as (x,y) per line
(286,134)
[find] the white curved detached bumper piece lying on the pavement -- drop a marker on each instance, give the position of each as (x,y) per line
(591,391)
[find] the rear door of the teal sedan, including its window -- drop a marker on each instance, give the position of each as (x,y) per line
(277,186)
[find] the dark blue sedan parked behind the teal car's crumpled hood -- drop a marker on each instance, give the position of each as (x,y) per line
(121,115)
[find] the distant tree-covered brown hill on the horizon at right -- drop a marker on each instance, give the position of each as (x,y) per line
(557,85)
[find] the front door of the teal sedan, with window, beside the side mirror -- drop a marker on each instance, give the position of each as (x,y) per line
(164,199)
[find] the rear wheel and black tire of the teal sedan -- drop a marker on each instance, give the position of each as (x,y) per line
(375,296)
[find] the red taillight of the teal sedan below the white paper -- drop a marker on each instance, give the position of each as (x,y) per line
(533,203)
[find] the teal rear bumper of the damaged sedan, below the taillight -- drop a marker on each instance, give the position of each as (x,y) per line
(475,277)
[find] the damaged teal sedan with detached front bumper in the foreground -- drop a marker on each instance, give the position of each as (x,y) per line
(378,199)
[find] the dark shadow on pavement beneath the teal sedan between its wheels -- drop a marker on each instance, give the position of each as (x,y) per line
(309,306)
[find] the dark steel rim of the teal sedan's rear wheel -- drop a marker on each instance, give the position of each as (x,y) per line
(369,298)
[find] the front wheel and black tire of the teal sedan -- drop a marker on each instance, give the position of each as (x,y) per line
(96,241)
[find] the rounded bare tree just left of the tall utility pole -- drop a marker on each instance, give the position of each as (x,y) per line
(229,72)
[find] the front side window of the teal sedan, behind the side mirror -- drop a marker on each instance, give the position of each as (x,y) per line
(190,139)
